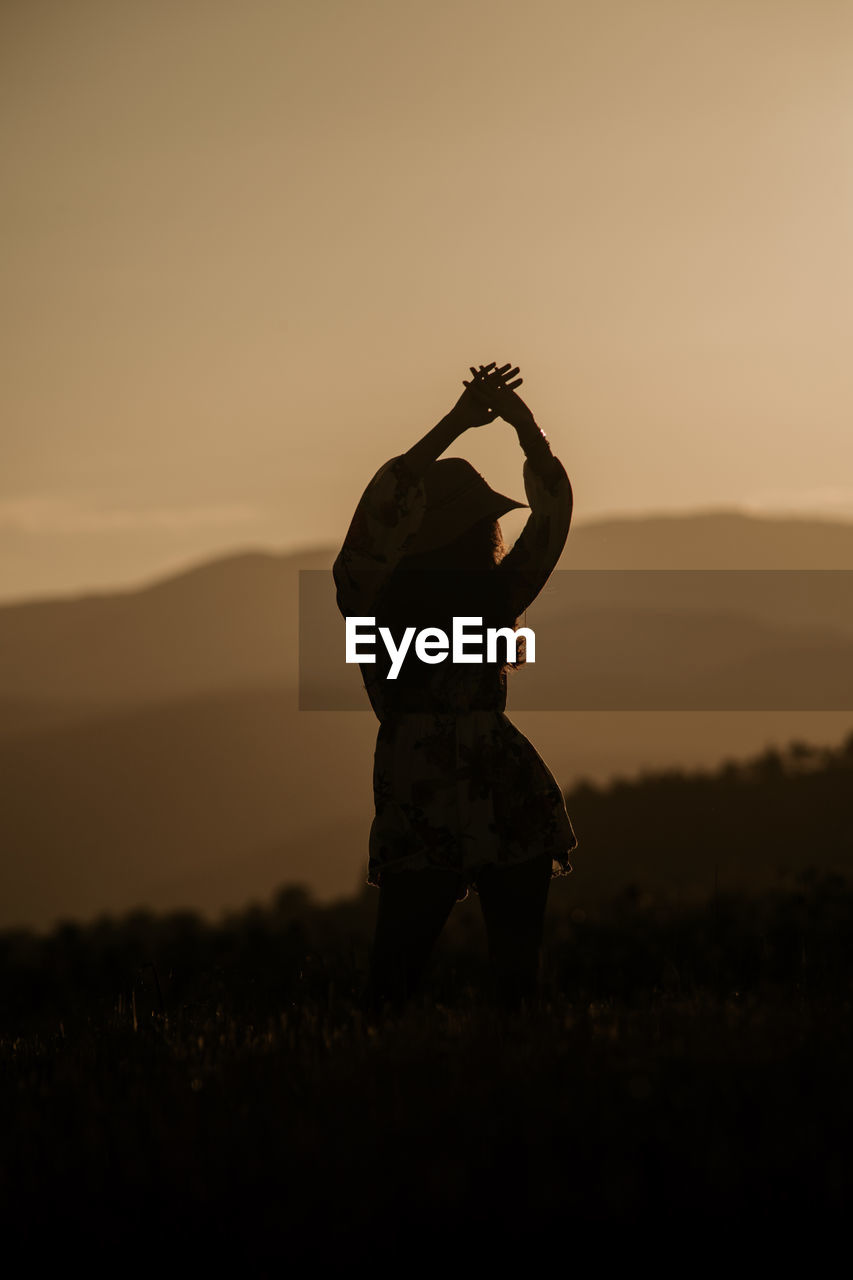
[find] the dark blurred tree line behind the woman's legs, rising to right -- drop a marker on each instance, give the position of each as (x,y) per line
(731,879)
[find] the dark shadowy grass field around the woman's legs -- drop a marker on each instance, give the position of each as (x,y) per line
(177,1086)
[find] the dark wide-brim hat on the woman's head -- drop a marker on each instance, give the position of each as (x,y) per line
(458,497)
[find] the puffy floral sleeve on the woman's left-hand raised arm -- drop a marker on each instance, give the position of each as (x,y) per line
(389,513)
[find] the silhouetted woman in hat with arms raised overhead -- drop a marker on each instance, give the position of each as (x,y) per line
(463,801)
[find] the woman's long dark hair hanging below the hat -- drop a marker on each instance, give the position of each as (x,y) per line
(432,588)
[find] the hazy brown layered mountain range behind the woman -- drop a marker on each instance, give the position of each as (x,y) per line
(153,752)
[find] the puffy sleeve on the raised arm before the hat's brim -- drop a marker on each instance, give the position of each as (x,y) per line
(528,566)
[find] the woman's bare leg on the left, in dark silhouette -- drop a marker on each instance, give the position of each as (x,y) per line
(414,907)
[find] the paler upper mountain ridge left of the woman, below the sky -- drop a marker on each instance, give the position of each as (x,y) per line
(226,624)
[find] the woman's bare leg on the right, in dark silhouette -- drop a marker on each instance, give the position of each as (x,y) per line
(513,899)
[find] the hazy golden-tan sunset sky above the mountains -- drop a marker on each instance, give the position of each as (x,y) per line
(250,249)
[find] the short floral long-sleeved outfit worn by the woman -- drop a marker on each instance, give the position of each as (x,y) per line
(457,784)
